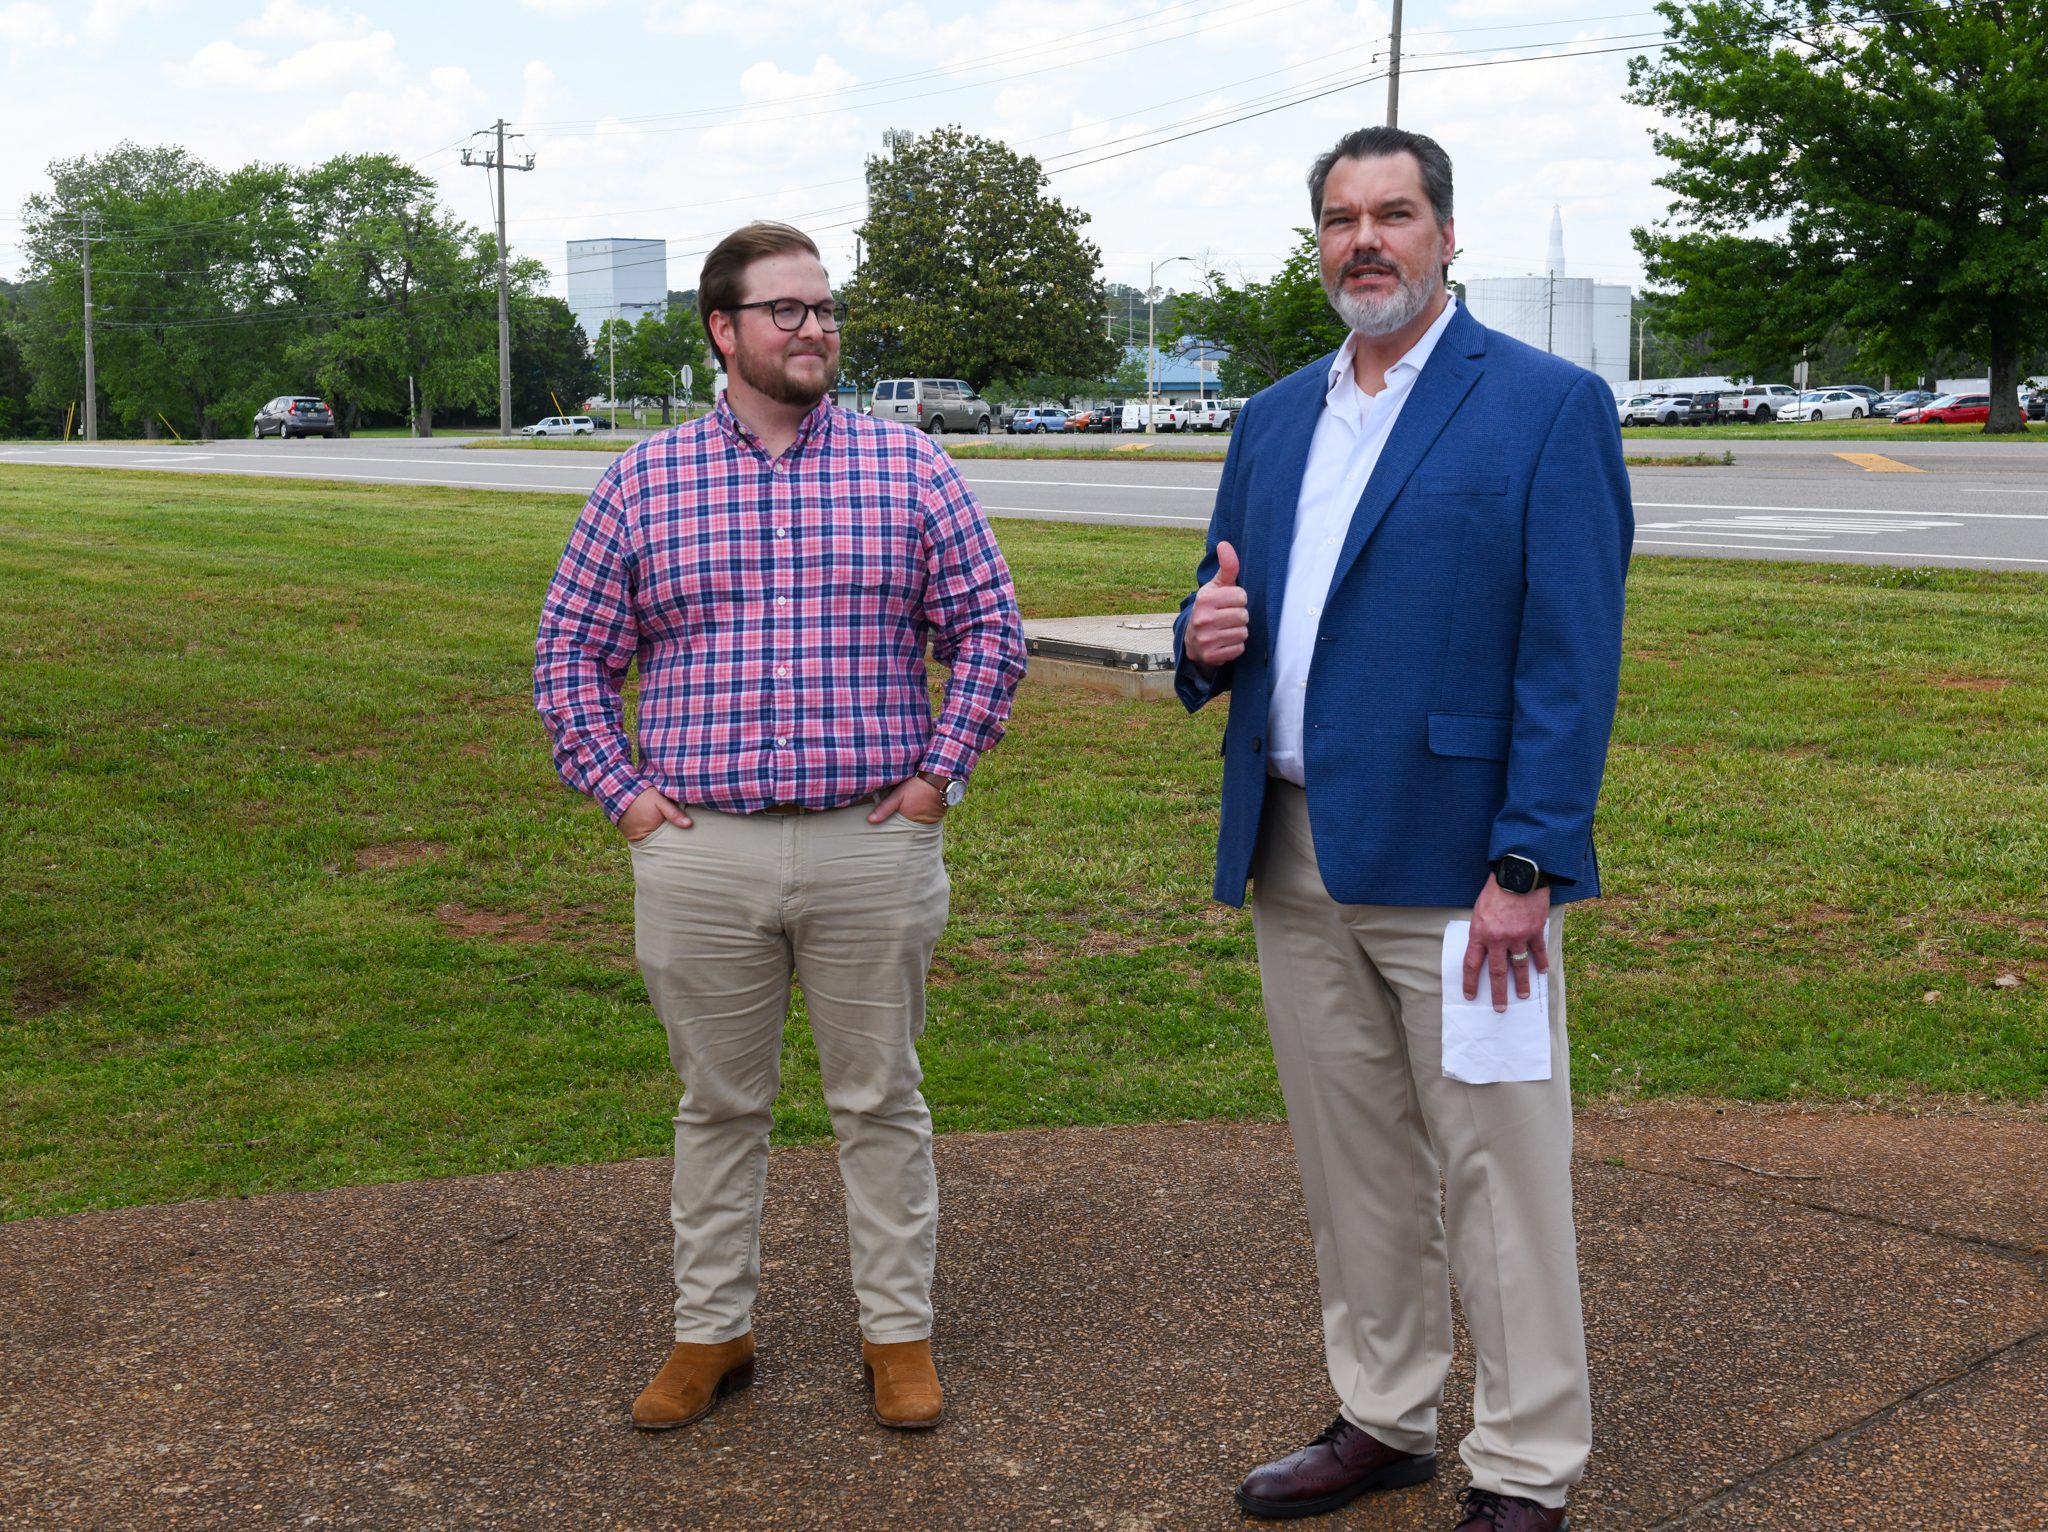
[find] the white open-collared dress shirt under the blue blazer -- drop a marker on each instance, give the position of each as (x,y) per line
(1349,441)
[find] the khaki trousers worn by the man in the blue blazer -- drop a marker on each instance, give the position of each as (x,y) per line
(1355,1005)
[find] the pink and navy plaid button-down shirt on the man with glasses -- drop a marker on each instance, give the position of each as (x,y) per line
(779,611)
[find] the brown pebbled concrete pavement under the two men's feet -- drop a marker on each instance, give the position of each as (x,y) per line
(1795,1322)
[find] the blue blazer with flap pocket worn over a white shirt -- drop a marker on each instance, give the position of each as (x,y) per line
(1469,656)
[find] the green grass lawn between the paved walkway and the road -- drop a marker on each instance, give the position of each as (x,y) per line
(290,894)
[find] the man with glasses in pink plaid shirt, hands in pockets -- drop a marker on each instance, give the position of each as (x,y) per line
(777,572)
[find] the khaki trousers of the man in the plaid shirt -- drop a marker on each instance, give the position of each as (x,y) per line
(724,914)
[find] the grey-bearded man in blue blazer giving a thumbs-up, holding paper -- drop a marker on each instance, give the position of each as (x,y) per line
(1414,599)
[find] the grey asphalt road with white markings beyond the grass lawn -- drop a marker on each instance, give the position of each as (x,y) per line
(1934,503)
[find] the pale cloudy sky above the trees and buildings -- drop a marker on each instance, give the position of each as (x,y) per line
(683,118)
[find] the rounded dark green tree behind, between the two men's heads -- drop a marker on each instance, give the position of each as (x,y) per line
(972,271)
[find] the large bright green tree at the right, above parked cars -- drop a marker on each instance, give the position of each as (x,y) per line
(1897,146)
